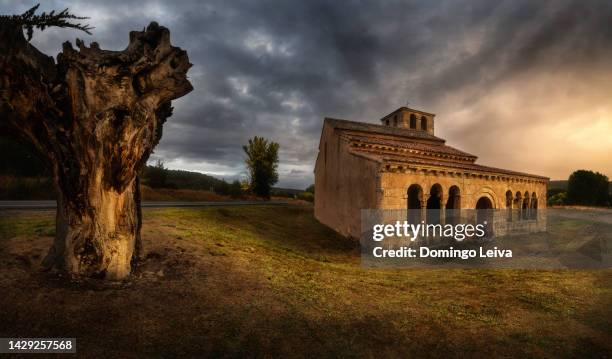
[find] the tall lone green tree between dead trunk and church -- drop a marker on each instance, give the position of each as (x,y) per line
(262,162)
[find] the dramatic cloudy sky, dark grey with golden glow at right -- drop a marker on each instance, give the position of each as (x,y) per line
(524,85)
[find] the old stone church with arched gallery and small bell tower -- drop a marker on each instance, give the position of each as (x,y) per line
(401,164)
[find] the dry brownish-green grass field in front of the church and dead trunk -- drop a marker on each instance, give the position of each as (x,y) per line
(271,281)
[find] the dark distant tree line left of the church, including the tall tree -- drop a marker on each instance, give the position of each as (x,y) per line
(23,175)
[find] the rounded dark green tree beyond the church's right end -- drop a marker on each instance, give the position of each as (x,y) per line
(588,188)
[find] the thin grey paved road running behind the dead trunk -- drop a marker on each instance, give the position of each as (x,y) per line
(52,204)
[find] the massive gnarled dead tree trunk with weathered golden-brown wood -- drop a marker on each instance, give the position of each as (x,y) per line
(96,116)
